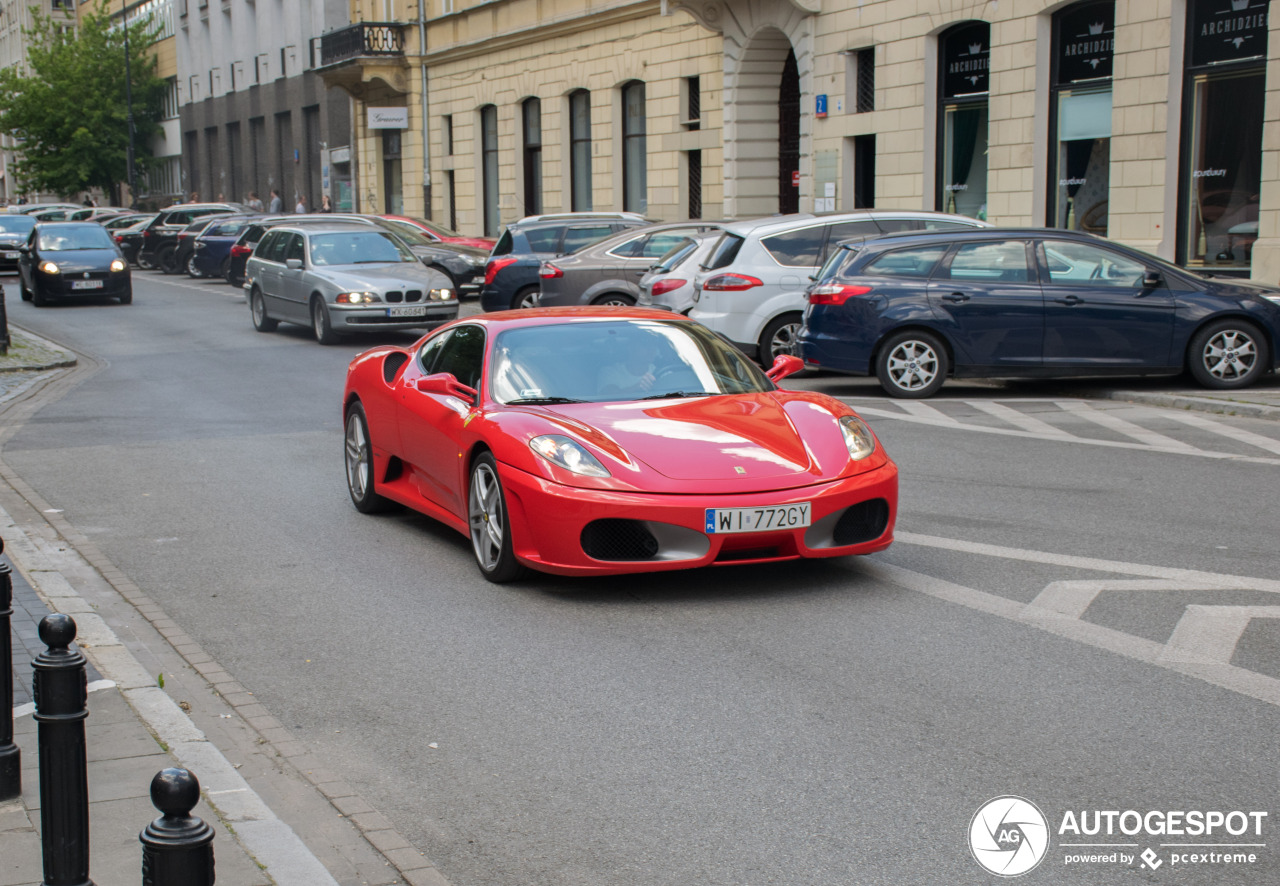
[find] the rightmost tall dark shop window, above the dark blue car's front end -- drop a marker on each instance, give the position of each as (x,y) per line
(1223,118)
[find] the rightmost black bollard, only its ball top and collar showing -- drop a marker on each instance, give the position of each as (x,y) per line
(177,848)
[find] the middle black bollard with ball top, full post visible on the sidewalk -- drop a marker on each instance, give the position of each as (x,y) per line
(62,696)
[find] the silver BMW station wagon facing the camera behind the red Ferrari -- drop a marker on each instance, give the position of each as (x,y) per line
(344,278)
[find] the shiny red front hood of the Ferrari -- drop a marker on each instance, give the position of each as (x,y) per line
(748,440)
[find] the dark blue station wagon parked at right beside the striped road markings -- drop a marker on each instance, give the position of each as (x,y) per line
(913,309)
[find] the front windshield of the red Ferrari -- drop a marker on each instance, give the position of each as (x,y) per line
(607,362)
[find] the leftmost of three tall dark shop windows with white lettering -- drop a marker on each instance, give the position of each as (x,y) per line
(964,84)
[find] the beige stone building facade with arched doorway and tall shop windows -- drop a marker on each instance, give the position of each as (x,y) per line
(1146,122)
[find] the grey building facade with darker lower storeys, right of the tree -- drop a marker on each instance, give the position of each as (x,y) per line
(254,115)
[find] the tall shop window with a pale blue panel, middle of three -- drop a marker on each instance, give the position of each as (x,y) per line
(1081,117)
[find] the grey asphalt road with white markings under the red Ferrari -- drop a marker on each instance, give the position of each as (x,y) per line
(1039,631)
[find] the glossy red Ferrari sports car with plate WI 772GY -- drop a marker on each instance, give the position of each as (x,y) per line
(596,441)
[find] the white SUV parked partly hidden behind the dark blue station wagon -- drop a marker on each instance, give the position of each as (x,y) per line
(751,290)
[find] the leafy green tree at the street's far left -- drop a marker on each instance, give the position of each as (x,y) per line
(71,111)
